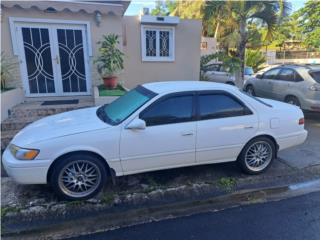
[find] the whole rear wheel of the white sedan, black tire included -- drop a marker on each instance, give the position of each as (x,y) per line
(257,155)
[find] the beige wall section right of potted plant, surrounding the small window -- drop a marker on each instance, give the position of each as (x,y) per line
(187,55)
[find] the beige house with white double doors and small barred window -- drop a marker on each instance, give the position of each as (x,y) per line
(54,44)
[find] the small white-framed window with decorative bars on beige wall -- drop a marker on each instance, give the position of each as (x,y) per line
(157,43)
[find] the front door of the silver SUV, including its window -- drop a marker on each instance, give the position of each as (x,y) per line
(265,86)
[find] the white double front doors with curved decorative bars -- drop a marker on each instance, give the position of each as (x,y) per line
(54,60)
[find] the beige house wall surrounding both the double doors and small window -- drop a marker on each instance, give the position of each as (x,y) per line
(186,65)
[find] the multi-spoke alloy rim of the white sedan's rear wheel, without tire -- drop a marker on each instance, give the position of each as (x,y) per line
(258,156)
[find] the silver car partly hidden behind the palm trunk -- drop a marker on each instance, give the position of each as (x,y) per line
(216,72)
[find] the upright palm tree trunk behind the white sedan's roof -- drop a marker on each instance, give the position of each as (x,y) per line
(241,47)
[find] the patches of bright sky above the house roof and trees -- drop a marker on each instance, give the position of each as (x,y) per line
(137,5)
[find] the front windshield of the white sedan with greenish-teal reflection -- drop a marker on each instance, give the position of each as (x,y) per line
(121,108)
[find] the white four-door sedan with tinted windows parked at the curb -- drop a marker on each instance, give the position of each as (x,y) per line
(154,126)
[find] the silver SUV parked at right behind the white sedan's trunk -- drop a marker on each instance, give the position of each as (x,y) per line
(295,84)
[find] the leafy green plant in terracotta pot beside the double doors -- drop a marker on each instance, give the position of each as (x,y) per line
(110,60)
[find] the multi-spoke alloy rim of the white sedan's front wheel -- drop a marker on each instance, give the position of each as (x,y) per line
(79,178)
